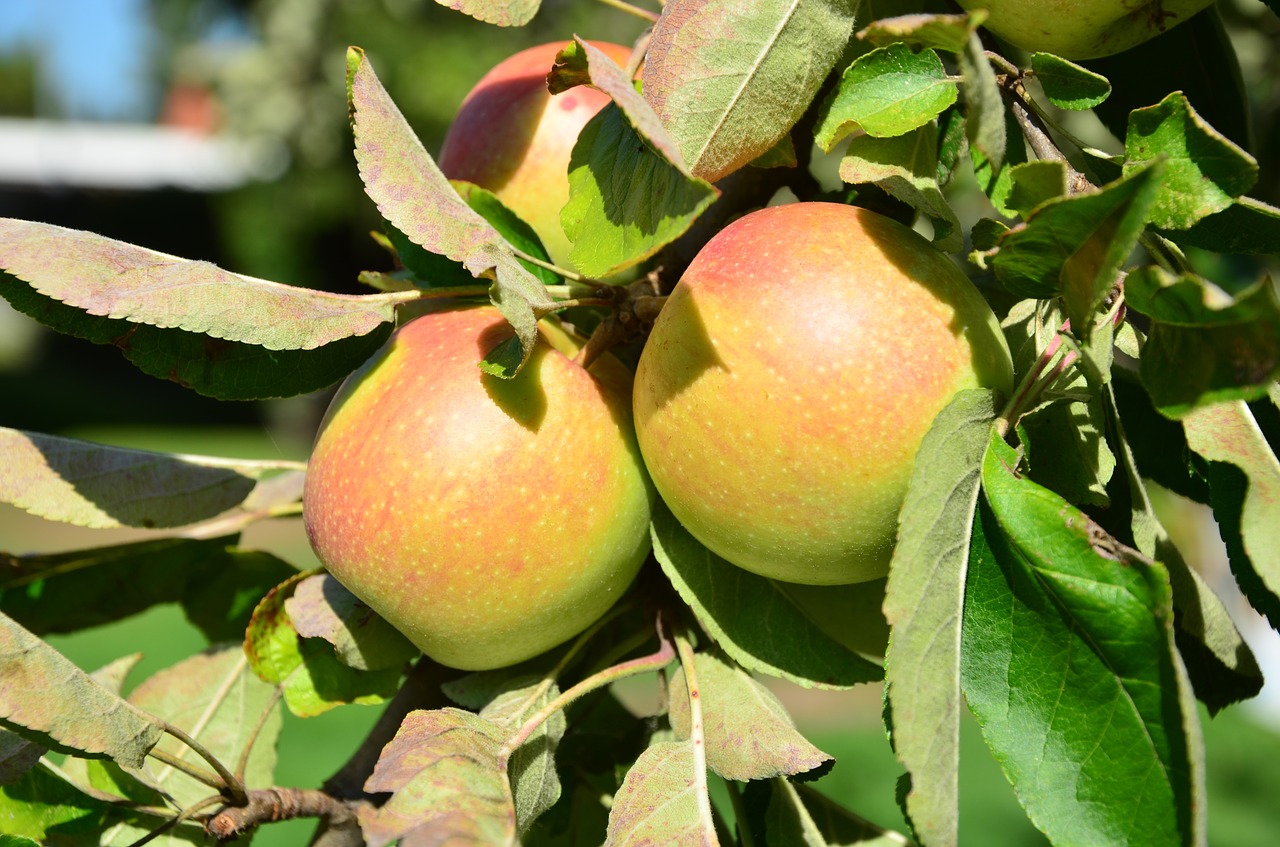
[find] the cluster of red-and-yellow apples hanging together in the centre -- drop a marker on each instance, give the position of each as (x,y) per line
(778,409)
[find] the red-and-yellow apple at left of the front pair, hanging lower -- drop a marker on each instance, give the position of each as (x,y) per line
(487,520)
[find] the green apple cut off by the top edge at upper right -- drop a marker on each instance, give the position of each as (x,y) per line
(1082,30)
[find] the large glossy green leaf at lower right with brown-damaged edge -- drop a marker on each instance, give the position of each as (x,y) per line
(1068,652)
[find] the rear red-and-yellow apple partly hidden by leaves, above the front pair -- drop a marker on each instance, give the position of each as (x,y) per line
(513,138)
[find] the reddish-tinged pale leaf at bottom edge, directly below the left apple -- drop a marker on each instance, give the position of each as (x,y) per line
(446,782)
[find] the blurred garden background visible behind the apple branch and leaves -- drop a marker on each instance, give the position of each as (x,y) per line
(267,76)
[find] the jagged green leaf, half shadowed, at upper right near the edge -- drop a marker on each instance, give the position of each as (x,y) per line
(1204,172)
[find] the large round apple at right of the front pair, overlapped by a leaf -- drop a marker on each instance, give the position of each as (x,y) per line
(789,381)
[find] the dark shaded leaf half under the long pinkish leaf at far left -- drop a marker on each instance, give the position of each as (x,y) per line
(220,369)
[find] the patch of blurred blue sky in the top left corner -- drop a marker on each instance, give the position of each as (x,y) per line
(93,52)
